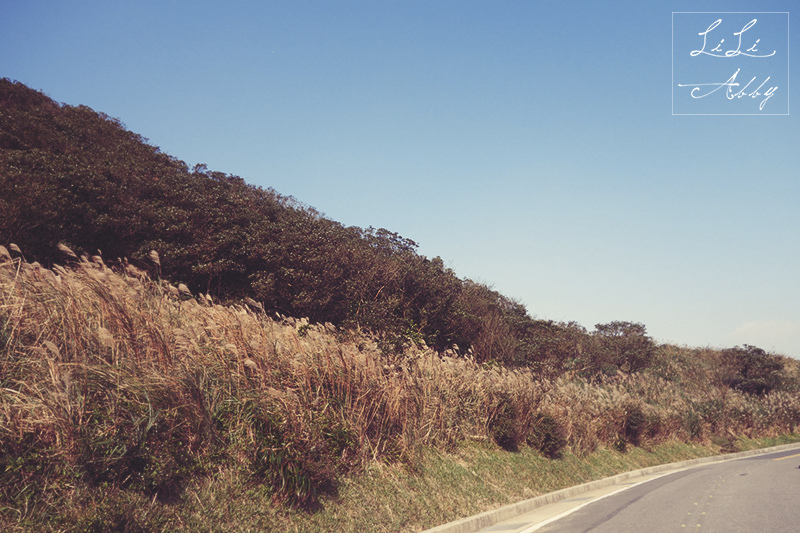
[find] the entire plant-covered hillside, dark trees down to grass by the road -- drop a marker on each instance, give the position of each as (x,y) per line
(233,355)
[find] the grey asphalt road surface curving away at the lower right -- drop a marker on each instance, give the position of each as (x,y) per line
(750,495)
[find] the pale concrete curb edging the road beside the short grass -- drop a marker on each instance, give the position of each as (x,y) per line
(474,523)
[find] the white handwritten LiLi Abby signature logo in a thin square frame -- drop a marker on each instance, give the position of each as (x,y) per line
(741,53)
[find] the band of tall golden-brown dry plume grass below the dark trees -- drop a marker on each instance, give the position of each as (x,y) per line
(110,381)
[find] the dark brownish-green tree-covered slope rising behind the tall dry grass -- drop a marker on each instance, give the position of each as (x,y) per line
(74,176)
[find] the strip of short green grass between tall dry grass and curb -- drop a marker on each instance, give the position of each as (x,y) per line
(382,498)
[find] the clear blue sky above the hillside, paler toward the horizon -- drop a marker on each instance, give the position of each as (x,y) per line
(530,144)
